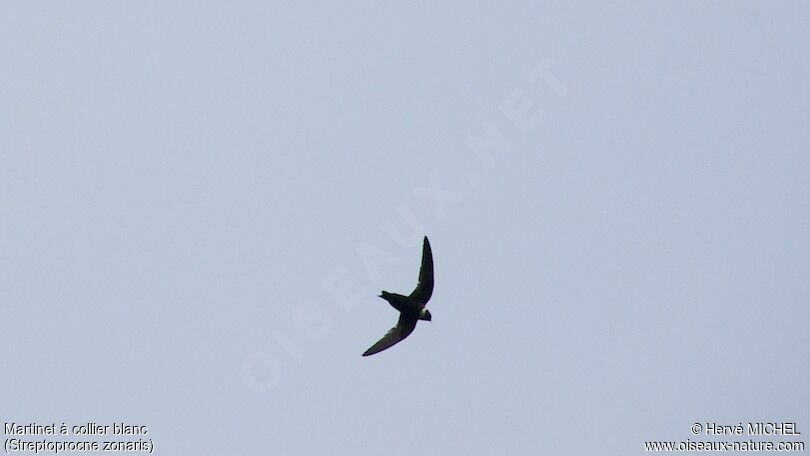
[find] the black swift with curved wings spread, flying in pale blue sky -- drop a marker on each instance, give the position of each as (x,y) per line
(411,308)
